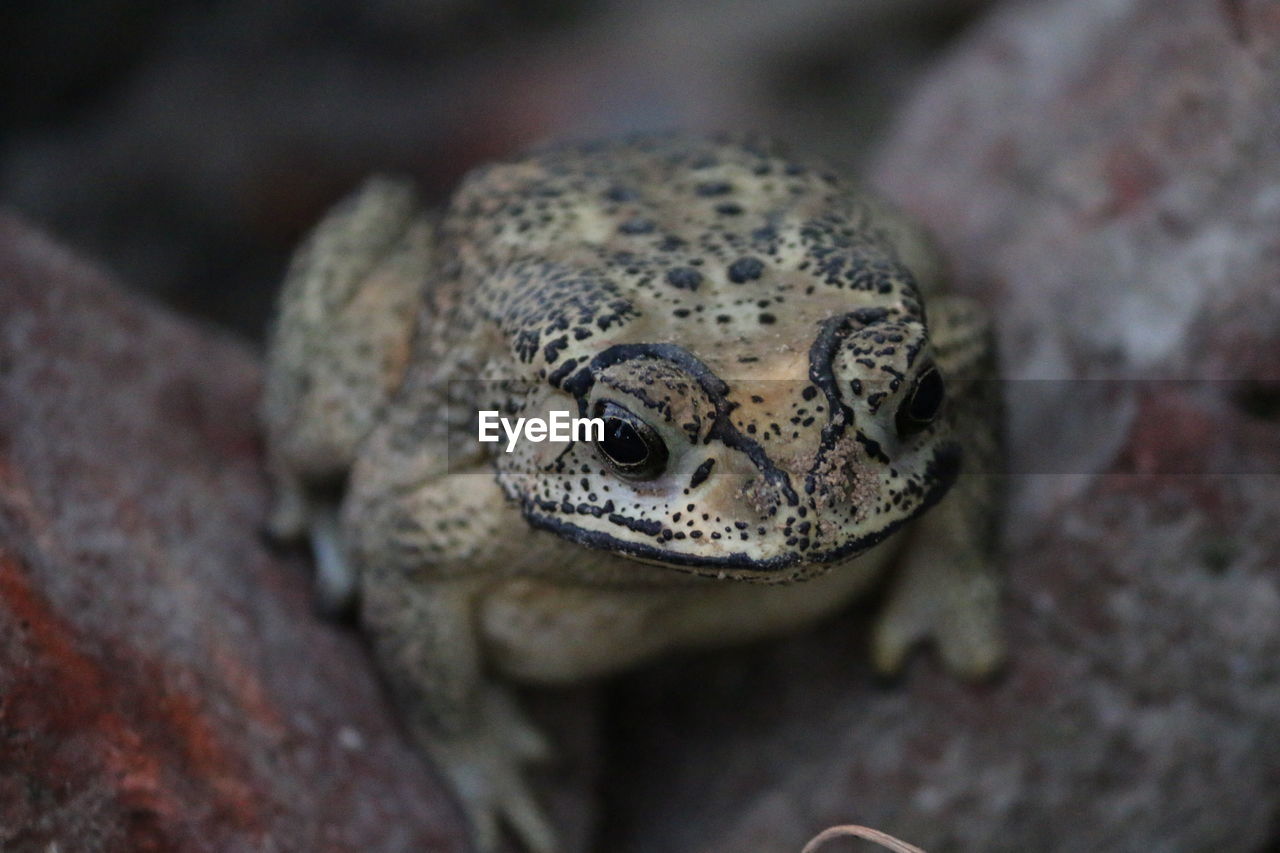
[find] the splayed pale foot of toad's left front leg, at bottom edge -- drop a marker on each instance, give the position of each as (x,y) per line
(484,765)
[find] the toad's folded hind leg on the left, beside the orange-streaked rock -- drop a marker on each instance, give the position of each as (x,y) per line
(336,355)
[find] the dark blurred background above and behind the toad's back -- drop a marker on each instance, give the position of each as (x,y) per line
(190,145)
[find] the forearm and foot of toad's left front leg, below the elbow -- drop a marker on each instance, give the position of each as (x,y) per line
(470,727)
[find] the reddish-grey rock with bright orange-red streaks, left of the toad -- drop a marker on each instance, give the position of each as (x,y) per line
(164,683)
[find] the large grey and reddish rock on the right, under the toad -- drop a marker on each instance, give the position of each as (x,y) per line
(1107,174)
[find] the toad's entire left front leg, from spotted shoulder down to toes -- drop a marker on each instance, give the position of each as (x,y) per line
(429,544)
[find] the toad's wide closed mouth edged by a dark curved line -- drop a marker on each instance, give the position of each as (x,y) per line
(941,472)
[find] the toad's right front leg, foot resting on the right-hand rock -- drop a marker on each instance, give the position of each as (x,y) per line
(948,589)
